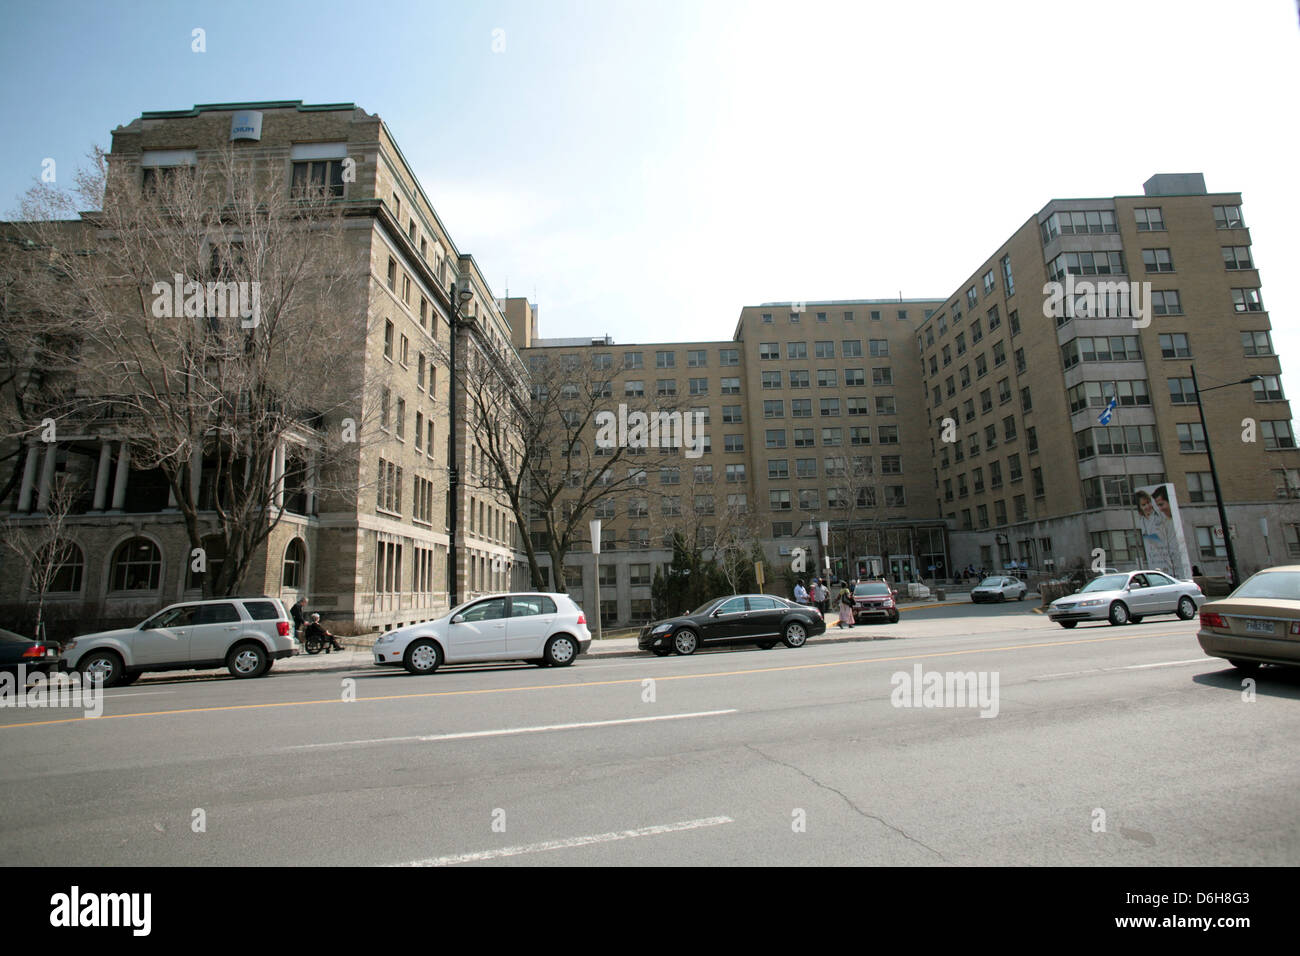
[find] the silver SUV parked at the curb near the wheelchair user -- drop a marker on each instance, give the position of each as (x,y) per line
(246,635)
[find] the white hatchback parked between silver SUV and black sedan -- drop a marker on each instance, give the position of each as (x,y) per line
(548,630)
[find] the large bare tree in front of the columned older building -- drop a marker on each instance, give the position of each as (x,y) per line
(215,317)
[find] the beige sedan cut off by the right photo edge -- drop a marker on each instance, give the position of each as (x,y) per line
(1258,624)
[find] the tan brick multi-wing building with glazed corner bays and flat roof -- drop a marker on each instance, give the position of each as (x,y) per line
(816,410)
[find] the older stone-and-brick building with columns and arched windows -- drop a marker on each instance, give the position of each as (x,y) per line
(378,557)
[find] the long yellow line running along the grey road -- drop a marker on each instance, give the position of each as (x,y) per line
(590,684)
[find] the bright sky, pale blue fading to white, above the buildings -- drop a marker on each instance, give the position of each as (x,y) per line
(647,170)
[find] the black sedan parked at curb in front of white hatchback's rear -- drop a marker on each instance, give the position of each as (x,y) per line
(760,620)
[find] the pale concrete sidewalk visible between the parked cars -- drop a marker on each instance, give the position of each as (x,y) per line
(358,650)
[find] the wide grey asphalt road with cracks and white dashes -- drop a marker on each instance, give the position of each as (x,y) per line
(1110,746)
